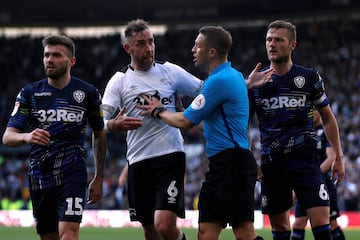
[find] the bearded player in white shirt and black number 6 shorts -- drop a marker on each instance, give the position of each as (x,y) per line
(155,150)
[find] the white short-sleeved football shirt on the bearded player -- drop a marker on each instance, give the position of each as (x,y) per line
(162,80)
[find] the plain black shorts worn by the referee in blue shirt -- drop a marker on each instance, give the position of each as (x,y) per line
(227,194)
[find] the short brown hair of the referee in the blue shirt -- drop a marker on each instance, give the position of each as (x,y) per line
(218,38)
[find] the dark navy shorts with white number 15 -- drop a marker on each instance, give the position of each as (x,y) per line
(63,203)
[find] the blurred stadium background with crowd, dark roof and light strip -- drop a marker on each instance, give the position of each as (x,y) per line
(328,39)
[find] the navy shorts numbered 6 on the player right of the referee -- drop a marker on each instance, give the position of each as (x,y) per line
(297,171)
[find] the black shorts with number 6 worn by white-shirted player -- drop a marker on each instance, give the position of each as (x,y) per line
(156,184)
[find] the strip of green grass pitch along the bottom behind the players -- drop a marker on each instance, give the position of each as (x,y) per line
(22,233)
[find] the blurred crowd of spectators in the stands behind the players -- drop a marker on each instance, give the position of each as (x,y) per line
(332,46)
